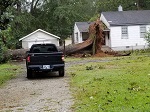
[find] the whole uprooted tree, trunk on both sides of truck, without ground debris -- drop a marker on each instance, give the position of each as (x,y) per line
(94,42)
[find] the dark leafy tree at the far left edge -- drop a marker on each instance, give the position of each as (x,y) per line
(5,18)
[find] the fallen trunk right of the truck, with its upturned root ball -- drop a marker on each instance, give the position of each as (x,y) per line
(95,40)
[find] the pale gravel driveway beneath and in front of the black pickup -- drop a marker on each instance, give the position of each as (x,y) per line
(42,94)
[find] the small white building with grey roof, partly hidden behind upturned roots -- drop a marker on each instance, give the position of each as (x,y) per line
(81,31)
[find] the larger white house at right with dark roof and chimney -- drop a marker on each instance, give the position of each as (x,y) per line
(126,29)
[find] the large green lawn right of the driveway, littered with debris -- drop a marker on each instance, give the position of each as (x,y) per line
(120,85)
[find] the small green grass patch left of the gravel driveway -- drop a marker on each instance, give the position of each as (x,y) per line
(7,72)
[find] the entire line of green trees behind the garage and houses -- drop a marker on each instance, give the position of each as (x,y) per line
(21,17)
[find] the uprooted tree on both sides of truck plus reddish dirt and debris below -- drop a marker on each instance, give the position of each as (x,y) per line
(93,43)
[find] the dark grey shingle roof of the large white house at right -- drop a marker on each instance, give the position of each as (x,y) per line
(118,18)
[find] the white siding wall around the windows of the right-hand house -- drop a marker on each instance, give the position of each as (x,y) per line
(132,42)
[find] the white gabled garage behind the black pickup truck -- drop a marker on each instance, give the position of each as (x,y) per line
(39,37)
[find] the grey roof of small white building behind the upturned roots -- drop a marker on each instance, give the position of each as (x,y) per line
(83,26)
